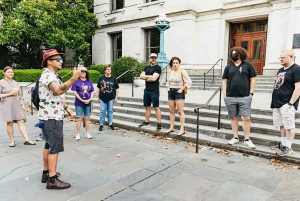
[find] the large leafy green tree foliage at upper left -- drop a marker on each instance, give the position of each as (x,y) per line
(33,25)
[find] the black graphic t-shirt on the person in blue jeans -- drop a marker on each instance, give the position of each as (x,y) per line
(110,85)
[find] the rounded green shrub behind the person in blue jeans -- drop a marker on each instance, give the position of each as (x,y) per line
(121,65)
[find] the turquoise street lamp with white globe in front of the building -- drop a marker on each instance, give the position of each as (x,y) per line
(162,23)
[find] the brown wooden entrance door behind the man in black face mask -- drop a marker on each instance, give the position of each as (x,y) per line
(254,41)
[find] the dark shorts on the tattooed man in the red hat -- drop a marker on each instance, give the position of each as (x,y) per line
(54,138)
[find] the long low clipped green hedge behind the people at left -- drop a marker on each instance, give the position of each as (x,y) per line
(31,75)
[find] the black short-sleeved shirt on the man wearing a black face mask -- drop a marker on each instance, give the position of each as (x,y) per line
(238,79)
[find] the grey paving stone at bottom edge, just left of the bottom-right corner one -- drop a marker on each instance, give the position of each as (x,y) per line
(233,191)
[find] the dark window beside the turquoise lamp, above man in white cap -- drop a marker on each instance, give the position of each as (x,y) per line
(152,41)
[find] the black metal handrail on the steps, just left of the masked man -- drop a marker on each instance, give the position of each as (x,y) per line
(196,109)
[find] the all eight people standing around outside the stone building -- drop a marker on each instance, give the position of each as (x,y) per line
(238,89)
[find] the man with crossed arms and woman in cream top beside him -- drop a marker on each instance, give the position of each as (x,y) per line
(178,81)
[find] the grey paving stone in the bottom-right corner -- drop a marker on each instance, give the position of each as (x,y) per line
(287,189)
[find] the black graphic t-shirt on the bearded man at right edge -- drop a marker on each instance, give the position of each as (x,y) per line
(284,86)
